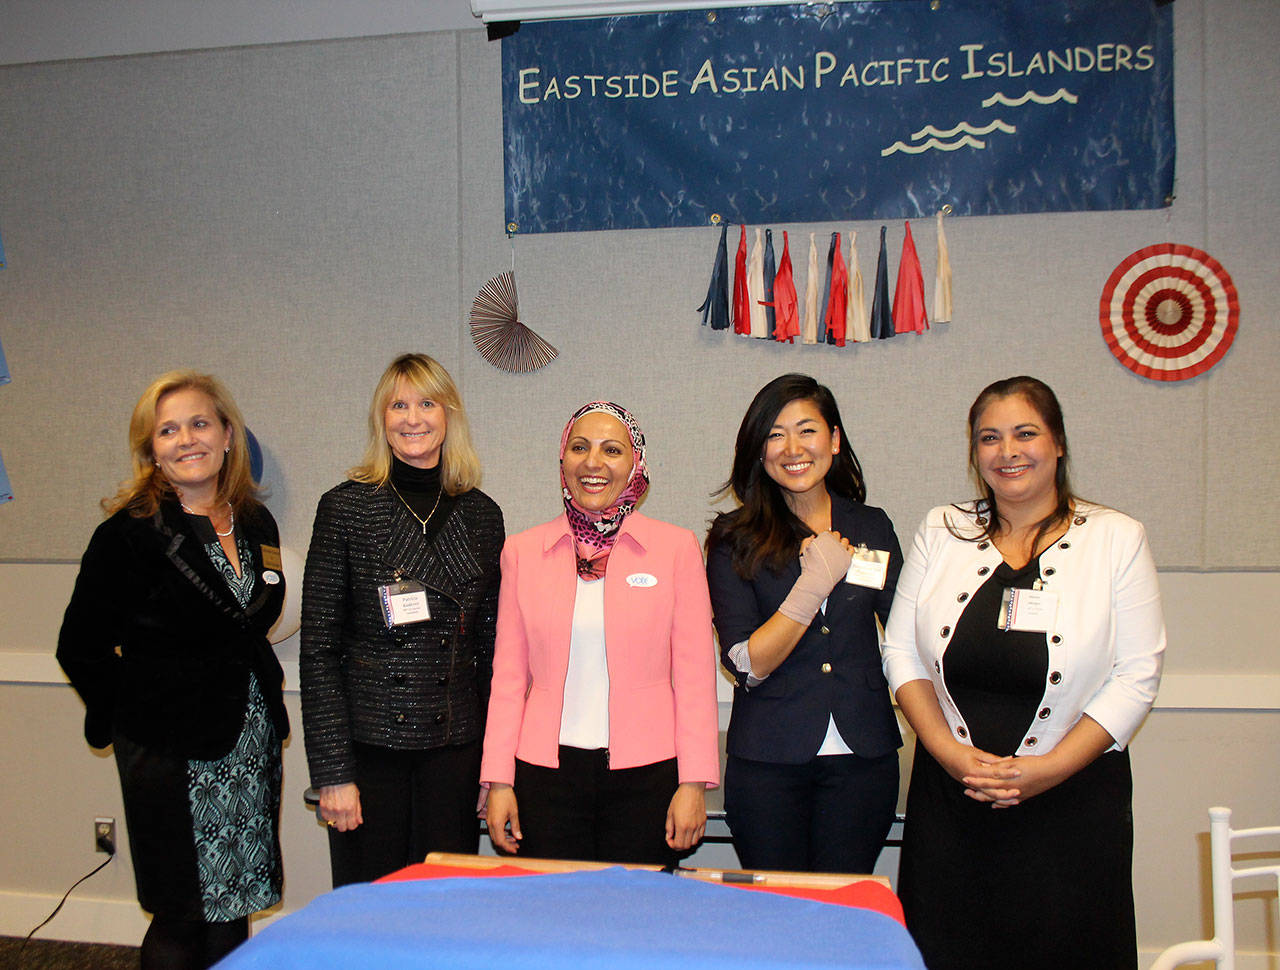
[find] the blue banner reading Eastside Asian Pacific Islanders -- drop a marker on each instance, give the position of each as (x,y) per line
(839,112)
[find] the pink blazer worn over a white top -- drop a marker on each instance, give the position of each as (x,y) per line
(659,643)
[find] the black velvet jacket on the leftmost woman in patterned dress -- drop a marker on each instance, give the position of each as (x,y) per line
(157,644)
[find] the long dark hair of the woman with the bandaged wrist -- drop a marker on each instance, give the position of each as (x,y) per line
(764,530)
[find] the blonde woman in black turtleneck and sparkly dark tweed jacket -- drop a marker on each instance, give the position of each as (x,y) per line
(399,611)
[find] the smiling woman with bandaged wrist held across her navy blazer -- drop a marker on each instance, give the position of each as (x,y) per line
(799,574)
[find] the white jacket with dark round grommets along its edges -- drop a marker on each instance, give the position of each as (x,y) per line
(1105,652)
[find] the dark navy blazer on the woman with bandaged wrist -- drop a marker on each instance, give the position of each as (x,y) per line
(785,719)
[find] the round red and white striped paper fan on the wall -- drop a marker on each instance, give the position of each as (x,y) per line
(1169,312)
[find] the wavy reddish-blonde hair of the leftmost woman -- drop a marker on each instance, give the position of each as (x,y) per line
(144,493)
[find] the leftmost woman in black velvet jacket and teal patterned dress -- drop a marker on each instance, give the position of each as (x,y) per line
(166,640)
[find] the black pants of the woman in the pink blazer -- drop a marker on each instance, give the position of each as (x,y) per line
(586,811)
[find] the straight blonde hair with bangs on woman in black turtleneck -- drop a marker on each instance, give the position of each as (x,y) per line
(460,466)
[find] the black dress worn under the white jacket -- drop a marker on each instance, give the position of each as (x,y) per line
(1041,885)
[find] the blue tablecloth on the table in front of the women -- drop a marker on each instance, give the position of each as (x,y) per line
(611,918)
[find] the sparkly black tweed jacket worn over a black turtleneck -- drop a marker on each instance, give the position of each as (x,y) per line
(412,688)
